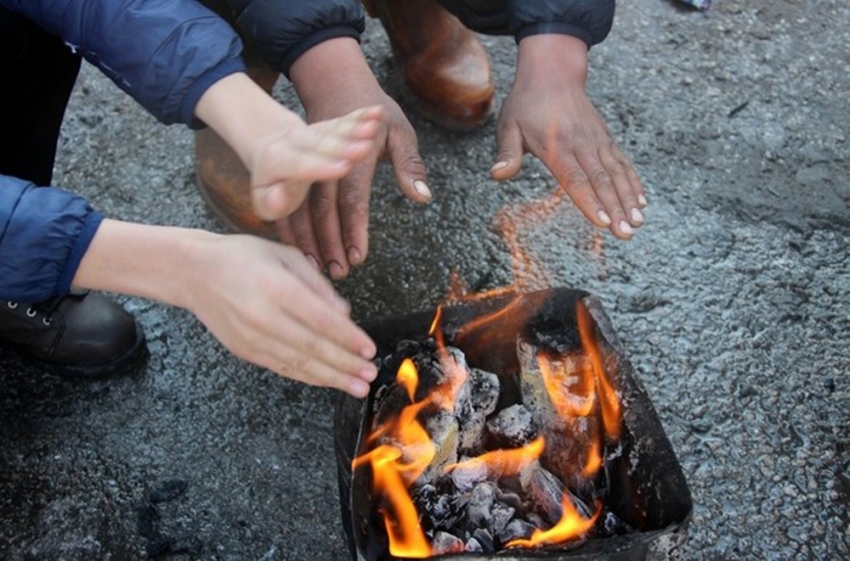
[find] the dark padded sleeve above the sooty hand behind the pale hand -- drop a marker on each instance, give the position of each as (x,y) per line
(282,30)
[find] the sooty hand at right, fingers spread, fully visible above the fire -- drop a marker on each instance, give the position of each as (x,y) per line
(549,114)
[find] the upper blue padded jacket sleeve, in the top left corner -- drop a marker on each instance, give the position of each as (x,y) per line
(164,53)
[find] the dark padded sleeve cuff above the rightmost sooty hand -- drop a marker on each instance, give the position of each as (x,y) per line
(589,20)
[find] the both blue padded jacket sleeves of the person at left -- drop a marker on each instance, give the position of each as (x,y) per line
(165,54)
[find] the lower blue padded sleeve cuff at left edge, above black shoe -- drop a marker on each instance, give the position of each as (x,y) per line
(44,233)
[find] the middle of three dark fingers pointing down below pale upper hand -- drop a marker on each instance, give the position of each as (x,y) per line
(325,217)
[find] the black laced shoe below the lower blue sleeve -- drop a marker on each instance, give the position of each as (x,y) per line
(81,335)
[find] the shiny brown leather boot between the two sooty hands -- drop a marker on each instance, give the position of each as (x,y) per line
(443,69)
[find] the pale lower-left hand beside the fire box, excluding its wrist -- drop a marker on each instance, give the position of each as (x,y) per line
(269,306)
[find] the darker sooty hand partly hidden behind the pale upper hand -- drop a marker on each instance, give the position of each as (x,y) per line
(331,227)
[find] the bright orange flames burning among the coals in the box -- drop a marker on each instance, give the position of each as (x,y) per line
(401,449)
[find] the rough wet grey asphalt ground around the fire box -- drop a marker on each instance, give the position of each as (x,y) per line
(733,303)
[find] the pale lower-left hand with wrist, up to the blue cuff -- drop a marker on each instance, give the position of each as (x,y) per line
(261,299)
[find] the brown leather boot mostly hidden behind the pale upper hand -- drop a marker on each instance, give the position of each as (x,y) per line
(223,181)
